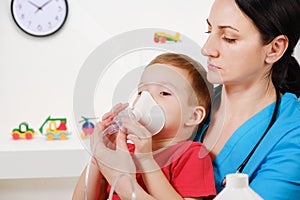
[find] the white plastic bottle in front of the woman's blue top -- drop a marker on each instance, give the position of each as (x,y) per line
(237,187)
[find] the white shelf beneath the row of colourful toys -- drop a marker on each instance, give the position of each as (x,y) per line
(40,158)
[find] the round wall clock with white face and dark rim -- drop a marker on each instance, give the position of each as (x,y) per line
(39,17)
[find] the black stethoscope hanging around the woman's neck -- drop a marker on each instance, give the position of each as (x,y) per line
(273,119)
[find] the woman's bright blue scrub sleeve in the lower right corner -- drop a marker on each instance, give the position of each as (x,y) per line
(278,178)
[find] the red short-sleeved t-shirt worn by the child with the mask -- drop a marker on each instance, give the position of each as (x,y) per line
(188,168)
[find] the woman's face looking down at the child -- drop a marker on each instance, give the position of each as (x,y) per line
(234,48)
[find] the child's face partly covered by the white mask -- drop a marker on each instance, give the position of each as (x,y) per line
(170,88)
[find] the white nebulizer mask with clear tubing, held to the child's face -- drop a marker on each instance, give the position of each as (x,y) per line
(148,113)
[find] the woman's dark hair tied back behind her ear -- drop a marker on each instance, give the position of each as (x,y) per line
(274,18)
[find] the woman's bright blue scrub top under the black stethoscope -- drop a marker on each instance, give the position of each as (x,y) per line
(274,168)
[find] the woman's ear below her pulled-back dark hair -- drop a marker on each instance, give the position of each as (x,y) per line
(276,48)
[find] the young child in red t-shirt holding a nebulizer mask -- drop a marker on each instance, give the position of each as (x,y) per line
(177,83)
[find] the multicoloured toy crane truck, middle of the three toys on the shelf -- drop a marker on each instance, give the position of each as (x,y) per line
(54,132)
